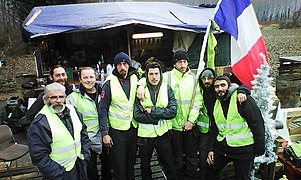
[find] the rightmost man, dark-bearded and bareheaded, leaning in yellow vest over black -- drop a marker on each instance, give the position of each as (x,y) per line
(237,133)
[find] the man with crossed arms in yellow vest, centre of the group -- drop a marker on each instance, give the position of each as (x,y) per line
(152,114)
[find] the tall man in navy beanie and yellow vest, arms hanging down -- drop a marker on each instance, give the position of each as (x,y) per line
(118,128)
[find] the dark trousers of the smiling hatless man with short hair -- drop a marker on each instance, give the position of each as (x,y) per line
(105,165)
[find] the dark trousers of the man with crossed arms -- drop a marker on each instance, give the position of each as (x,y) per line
(163,147)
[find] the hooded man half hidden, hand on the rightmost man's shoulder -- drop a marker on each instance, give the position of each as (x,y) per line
(201,111)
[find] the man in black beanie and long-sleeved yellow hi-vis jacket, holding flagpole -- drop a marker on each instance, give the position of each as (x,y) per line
(184,137)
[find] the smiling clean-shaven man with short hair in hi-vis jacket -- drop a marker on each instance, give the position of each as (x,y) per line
(86,99)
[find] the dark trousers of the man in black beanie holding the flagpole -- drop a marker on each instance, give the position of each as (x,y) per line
(185,145)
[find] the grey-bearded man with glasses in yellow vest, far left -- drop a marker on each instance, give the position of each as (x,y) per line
(58,141)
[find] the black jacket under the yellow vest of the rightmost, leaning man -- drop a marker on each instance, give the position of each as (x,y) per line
(250,111)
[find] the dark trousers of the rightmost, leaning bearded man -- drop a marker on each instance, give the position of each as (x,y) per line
(242,167)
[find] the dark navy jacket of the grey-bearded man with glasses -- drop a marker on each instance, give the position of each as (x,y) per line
(39,138)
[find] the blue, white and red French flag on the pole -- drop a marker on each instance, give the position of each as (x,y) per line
(237,18)
